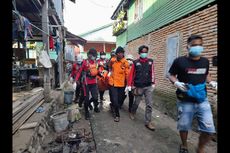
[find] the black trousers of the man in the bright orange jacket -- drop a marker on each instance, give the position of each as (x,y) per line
(117,95)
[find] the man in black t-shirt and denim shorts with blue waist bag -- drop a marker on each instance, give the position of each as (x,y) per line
(189,74)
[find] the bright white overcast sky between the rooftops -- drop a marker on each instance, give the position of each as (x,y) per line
(85,15)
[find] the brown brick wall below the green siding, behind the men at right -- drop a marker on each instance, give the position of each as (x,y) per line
(203,22)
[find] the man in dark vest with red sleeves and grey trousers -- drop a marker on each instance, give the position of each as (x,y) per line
(142,80)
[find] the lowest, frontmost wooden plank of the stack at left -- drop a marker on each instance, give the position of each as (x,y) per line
(19,123)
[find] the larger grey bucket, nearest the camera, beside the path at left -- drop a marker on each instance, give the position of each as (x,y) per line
(60,121)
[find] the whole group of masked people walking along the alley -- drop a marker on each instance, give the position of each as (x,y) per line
(125,76)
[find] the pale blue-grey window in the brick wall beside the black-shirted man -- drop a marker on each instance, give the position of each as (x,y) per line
(172,50)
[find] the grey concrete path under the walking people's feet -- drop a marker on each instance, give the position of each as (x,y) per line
(131,136)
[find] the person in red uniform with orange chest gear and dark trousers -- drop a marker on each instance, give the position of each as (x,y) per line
(89,72)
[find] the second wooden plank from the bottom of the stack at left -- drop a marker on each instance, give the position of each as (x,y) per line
(20,114)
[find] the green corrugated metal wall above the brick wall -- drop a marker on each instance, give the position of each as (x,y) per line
(162,13)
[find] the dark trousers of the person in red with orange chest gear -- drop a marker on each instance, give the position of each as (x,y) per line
(91,88)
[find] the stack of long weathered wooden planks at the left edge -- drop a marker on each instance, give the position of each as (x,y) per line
(25,106)
